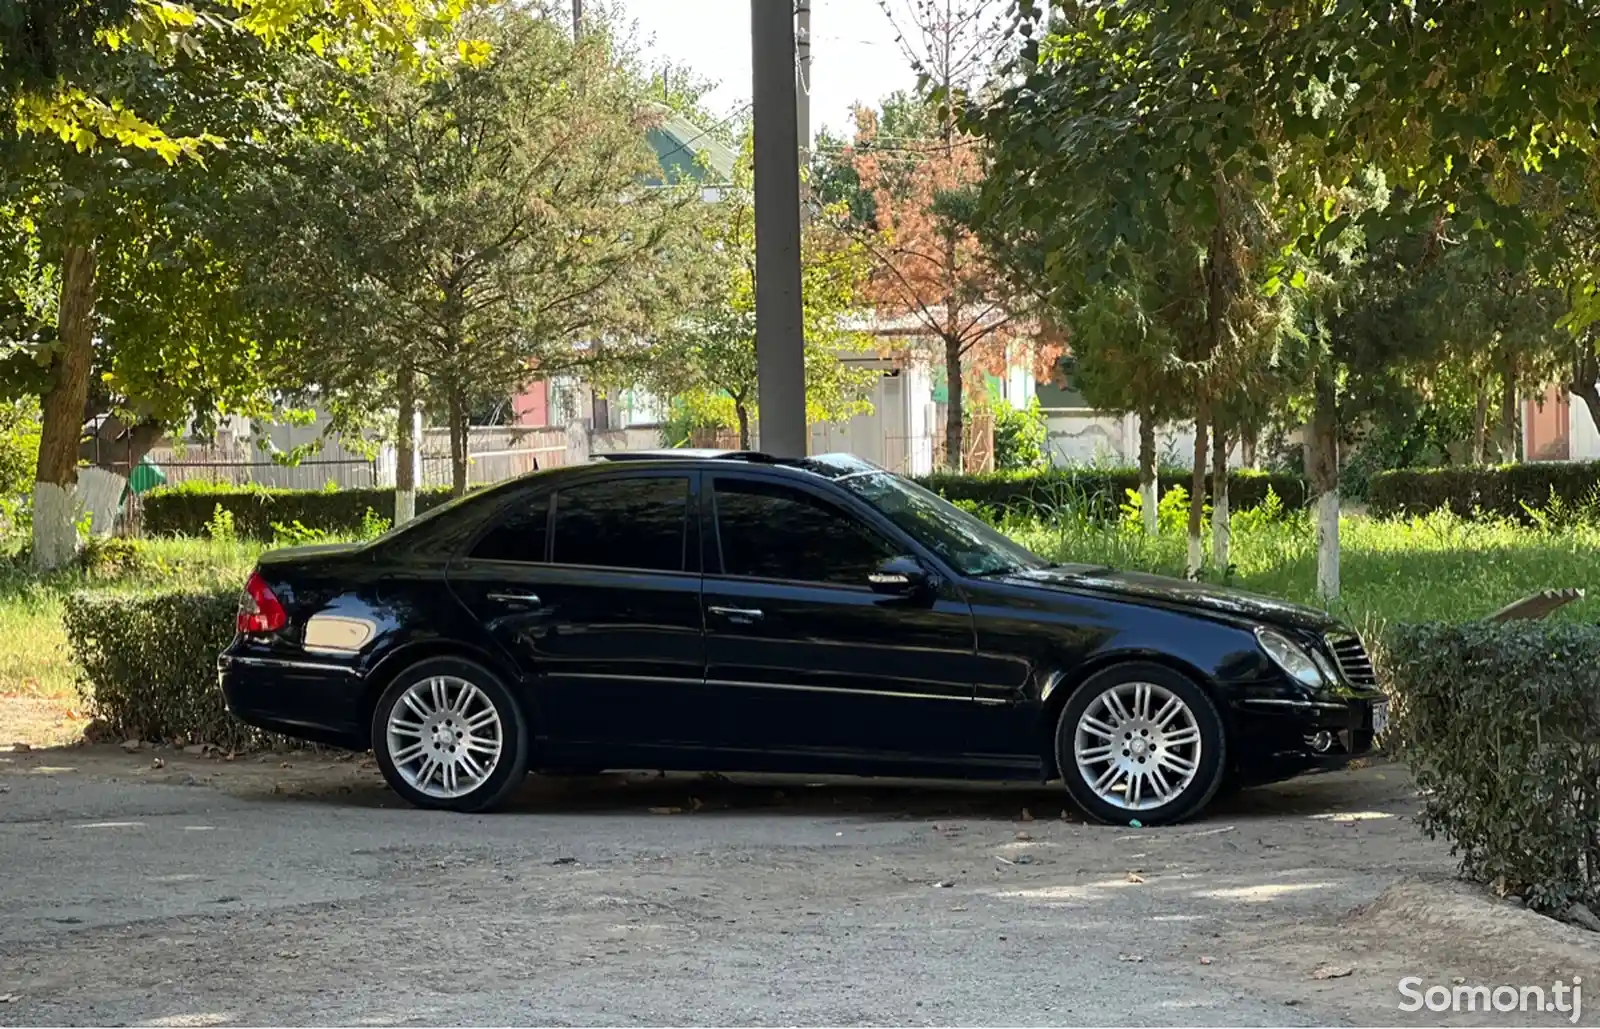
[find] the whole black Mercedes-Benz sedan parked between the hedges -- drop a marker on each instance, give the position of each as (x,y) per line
(734,612)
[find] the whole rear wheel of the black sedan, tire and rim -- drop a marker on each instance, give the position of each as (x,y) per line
(449,735)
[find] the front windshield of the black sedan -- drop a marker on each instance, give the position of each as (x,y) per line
(969,545)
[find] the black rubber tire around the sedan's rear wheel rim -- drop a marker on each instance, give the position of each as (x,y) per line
(511,767)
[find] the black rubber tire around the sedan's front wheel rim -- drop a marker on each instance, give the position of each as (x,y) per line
(1212,740)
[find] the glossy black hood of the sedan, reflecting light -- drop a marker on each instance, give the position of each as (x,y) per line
(1177,593)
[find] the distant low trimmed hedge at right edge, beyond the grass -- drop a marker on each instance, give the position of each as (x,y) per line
(1503,492)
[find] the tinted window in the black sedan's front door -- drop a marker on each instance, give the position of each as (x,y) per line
(775,532)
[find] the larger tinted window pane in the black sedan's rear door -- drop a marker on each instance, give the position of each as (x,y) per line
(636,523)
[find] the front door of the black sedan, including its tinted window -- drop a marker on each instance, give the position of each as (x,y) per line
(804,659)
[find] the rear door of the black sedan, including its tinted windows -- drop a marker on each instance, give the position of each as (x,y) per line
(594,590)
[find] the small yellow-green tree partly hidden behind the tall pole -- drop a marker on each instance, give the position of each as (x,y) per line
(708,356)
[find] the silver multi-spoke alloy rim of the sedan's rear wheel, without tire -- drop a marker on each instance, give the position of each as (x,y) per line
(446,737)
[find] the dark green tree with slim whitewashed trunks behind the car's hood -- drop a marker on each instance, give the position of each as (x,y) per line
(1098,172)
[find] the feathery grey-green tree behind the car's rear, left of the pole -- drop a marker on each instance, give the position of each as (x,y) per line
(490,225)
